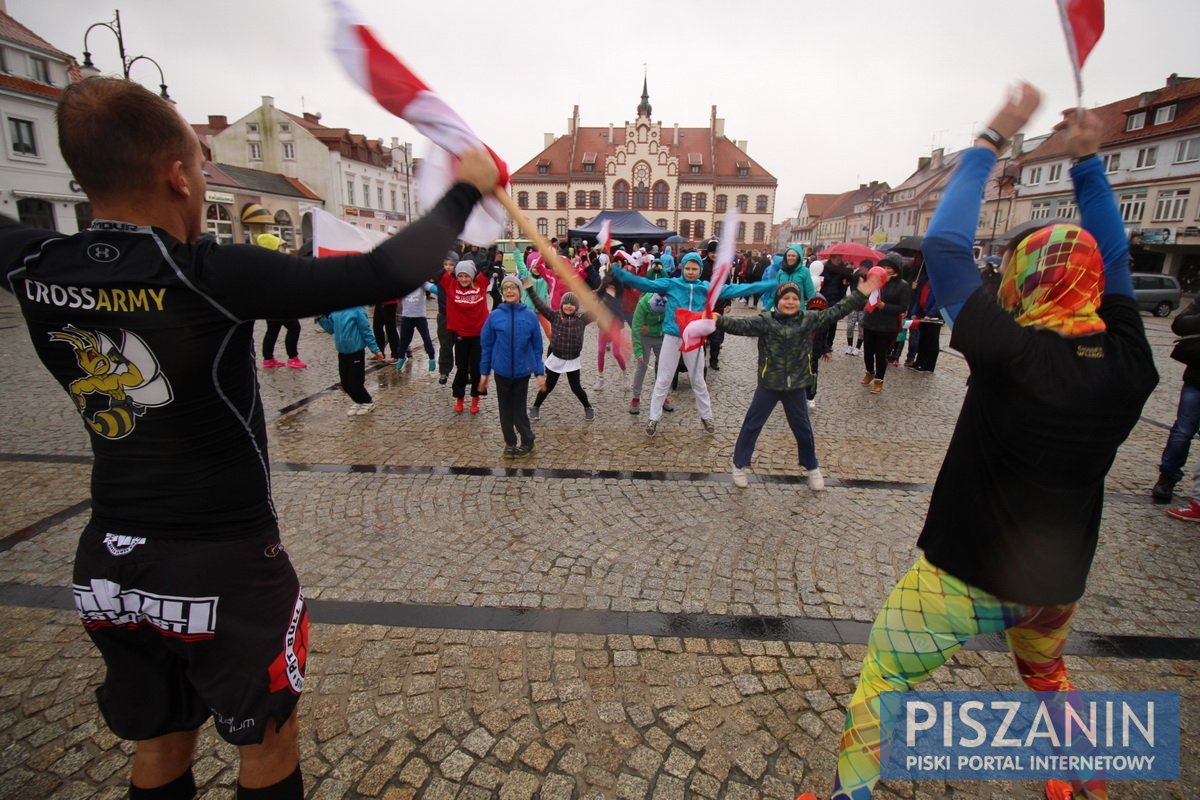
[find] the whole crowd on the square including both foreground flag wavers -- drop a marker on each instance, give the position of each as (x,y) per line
(1060,371)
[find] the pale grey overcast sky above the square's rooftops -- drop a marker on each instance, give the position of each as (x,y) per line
(827,94)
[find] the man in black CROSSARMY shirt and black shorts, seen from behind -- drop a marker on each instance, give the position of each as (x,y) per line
(181,579)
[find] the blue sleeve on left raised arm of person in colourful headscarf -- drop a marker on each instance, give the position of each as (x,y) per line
(950,243)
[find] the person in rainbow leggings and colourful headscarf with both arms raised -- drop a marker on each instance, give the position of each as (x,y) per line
(1060,371)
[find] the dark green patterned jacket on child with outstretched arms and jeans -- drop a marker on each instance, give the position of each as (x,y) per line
(785,342)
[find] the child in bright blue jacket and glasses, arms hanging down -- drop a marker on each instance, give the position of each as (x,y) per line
(512,348)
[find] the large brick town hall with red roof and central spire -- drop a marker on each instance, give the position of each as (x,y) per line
(681,179)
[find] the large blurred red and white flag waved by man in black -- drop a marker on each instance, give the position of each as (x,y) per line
(394,86)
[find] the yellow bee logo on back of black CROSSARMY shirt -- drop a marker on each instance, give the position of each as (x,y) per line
(121,381)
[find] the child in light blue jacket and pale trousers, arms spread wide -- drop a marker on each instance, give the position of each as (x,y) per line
(687,293)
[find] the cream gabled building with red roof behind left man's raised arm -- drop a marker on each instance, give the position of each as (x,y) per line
(361,181)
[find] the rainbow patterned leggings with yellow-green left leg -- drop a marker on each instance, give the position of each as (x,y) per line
(927,618)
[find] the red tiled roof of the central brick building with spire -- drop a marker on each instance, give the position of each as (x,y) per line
(567,153)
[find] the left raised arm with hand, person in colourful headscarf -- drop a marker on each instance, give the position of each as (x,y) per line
(950,242)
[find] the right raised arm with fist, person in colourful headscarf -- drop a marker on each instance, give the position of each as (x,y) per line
(1099,210)
